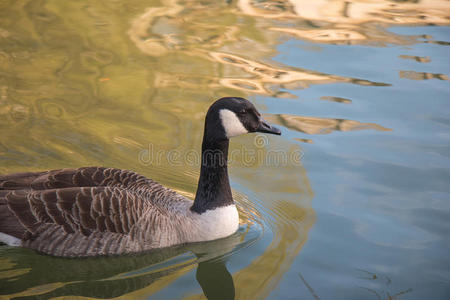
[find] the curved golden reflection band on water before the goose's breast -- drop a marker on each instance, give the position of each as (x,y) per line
(290,219)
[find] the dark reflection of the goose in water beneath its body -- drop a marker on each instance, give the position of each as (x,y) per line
(138,276)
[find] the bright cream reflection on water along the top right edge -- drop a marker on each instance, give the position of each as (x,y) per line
(348,22)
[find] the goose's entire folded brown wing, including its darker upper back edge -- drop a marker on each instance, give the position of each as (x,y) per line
(85,199)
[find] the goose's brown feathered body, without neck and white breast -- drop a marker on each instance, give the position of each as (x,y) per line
(97,211)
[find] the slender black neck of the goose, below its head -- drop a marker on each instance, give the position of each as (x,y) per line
(213,185)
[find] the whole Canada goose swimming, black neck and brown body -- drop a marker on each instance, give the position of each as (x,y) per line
(94,211)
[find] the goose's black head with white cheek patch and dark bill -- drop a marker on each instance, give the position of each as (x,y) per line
(233,116)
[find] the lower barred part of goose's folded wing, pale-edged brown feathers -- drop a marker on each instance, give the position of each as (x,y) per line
(84,209)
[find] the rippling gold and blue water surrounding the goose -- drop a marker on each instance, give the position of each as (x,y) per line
(357,205)
